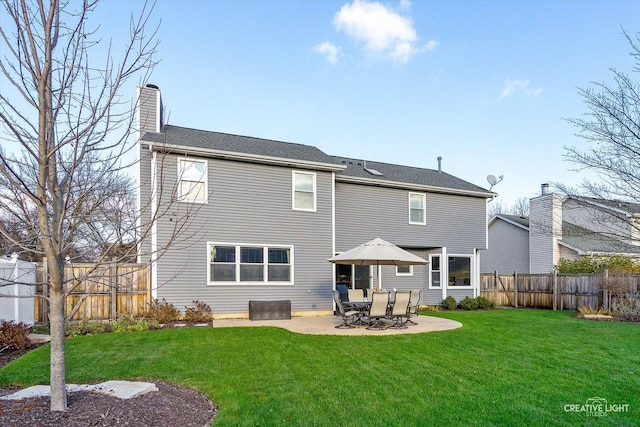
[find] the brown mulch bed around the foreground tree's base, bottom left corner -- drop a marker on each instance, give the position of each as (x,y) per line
(170,406)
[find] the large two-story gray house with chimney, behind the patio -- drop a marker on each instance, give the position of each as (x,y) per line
(260,218)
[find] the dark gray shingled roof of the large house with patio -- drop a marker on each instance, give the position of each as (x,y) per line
(220,144)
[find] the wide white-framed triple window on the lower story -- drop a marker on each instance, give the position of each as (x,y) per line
(249,264)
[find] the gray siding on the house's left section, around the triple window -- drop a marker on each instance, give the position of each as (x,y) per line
(249,204)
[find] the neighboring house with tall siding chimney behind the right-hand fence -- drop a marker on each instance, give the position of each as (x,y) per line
(560,227)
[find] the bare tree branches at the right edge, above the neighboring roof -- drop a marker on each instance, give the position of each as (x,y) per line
(611,129)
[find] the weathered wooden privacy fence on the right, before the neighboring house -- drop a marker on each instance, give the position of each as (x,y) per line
(557,291)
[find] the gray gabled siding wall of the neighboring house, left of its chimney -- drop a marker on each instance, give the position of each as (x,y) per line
(508,249)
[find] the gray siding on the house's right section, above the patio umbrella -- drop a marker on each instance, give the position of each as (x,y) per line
(364,212)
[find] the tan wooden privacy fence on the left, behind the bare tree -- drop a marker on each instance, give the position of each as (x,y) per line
(99,292)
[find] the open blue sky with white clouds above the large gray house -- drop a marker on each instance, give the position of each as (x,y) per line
(483,84)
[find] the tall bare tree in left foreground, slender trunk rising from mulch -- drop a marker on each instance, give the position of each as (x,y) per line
(68,129)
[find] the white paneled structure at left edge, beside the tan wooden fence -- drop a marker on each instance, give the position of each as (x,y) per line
(17,278)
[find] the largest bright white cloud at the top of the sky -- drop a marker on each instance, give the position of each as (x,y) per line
(383,31)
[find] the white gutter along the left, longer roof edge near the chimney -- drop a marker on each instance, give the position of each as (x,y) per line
(243,157)
